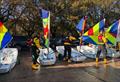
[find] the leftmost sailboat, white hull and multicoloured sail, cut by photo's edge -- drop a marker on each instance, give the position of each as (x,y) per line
(8,56)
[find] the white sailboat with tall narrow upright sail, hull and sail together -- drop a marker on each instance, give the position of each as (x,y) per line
(47,55)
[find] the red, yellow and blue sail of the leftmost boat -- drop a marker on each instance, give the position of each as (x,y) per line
(5,36)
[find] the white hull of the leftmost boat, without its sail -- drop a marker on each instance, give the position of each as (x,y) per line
(8,59)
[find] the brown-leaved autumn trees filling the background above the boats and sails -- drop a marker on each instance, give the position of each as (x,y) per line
(23,18)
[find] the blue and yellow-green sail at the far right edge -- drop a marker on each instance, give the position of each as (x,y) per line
(112,32)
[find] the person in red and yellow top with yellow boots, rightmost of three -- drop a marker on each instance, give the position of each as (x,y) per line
(101,47)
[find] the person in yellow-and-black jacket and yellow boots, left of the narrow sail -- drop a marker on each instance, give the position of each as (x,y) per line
(35,51)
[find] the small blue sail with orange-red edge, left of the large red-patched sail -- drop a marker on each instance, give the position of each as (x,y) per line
(81,25)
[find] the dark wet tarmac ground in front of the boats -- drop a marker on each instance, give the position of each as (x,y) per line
(63,72)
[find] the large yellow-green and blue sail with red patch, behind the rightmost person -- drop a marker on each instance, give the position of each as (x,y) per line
(91,36)
